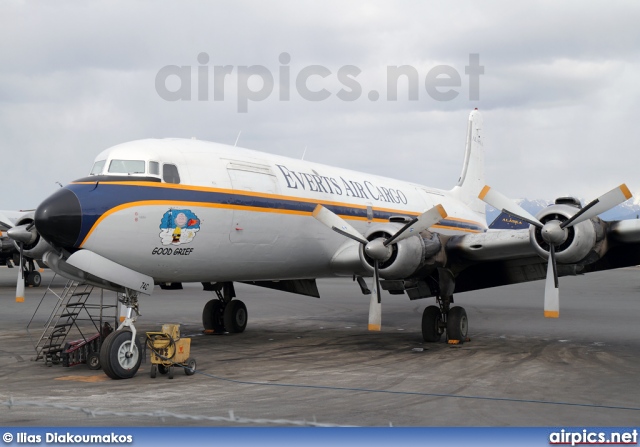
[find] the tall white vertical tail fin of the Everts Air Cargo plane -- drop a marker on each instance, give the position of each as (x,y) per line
(471,179)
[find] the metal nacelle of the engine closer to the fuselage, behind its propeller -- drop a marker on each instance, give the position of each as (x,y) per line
(407,256)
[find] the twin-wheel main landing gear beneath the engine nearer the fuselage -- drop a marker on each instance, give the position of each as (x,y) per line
(438,319)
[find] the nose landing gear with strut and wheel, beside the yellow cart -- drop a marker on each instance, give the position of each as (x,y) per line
(121,352)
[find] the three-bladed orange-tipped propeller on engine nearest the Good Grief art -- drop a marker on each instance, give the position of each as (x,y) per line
(378,249)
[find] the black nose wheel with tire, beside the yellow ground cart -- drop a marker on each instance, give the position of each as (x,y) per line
(114,355)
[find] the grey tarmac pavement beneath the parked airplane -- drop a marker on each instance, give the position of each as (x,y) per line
(312,361)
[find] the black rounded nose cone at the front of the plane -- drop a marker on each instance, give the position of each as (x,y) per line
(59,218)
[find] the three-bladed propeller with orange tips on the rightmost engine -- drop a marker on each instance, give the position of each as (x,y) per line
(554,232)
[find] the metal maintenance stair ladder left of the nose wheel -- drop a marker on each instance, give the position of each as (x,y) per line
(75,313)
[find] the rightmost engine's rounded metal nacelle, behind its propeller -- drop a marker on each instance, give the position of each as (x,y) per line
(581,239)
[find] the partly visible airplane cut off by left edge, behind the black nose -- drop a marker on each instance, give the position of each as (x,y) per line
(10,249)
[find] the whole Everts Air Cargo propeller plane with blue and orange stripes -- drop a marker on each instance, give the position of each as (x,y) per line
(171,210)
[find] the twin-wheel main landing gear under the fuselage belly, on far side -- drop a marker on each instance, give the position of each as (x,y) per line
(224,314)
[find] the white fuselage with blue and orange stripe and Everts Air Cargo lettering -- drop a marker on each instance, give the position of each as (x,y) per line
(238,214)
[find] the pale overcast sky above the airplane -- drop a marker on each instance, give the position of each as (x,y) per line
(560,93)
